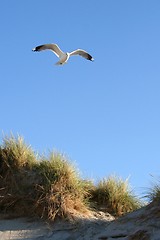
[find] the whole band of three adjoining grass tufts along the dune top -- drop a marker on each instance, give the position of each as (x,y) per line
(51,187)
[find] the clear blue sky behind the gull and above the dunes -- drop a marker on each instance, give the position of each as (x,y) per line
(104,115)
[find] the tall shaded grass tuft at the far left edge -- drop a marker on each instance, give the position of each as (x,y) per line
(17,160)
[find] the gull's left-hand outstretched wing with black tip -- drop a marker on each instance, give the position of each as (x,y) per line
(51,46)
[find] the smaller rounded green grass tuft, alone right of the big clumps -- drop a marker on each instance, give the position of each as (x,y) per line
(115,196)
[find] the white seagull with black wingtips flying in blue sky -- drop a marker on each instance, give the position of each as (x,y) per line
(63,57)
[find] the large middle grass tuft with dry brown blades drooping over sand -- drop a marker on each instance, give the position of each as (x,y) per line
(62,190)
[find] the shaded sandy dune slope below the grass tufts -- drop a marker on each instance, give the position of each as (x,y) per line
(143,224)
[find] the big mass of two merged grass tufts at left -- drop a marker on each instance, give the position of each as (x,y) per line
(30,185)
